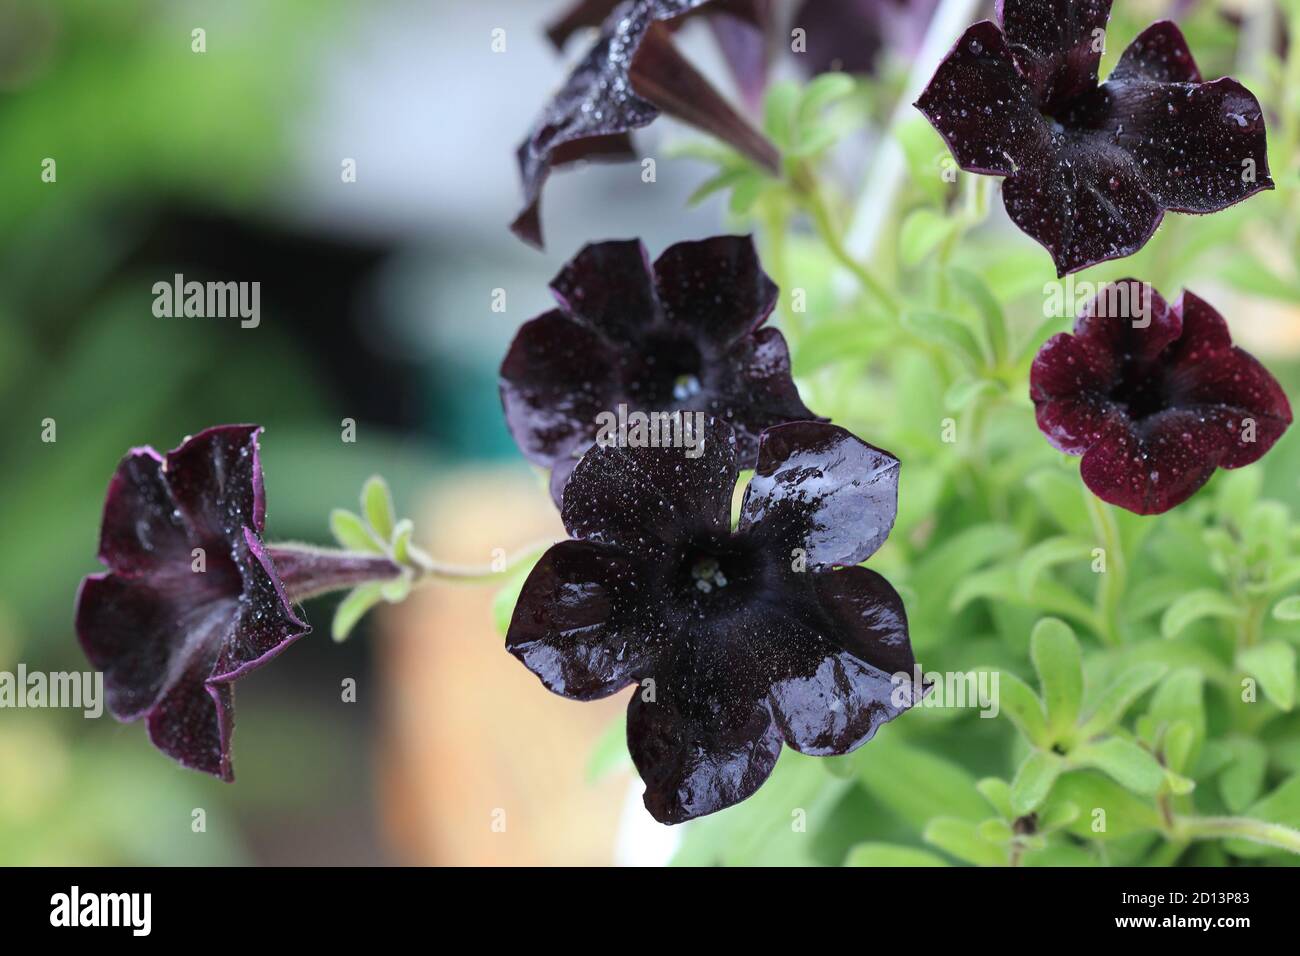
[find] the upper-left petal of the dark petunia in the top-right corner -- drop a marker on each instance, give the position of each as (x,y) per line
(983,109)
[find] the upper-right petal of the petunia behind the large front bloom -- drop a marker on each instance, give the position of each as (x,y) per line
(716,287)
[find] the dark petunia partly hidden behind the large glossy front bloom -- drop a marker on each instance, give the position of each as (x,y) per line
(684,335)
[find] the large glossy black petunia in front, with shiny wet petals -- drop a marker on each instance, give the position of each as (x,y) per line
(738,641)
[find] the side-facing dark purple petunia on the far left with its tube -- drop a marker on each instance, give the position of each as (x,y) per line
(193,599)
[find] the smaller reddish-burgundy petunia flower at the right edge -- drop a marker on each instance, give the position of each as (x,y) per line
(1155,397)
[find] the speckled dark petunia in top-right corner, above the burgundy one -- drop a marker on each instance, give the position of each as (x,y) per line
(1090,168)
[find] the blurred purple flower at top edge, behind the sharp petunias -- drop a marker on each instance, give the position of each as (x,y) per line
(851,36)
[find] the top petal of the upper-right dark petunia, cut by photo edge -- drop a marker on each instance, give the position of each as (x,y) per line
(1056,44)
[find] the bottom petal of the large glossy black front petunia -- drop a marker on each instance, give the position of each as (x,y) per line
(694,765)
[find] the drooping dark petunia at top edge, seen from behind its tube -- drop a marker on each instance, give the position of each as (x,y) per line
(630,76)
